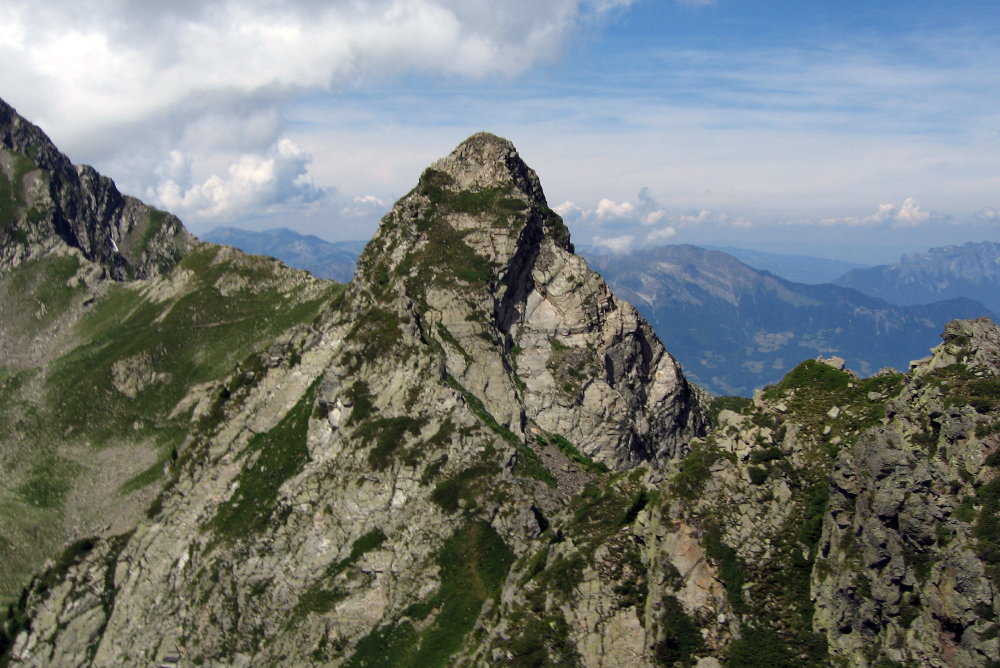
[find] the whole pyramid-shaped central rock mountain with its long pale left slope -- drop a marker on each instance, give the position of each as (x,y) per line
(363,492)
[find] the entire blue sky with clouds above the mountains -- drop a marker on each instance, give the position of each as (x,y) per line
(852,130)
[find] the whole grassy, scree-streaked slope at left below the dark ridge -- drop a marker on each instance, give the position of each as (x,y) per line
(50,414)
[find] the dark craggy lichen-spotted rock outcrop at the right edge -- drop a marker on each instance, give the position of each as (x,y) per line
(910,564)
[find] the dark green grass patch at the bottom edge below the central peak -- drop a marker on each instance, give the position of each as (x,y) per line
(473,565)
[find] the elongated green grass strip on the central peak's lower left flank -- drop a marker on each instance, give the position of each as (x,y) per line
(280,454)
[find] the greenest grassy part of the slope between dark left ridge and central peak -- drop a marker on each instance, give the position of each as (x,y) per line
(164,349)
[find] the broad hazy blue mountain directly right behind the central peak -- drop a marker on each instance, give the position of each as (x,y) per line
(735,328)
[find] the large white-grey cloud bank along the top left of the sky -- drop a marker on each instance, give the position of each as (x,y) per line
(115,61)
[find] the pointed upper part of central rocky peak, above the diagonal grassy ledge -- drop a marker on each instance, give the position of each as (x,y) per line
(473,260)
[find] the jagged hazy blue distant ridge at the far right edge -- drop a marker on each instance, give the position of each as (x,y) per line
(971,270)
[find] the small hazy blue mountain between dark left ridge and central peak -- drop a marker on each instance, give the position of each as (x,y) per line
(322,259)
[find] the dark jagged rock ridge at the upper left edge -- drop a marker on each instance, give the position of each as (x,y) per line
(44,197)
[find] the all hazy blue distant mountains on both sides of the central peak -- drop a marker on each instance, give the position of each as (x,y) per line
(733,327)
